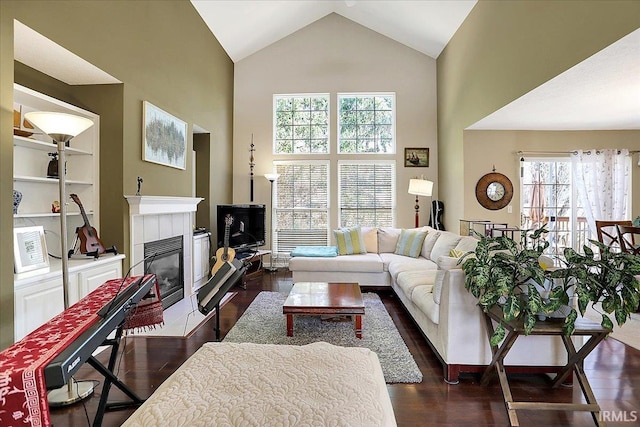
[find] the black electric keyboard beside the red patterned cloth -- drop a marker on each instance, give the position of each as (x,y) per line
(66,364)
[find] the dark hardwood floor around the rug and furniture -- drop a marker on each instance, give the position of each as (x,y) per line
(613,370)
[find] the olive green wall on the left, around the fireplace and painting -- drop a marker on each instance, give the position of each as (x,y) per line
(163,53)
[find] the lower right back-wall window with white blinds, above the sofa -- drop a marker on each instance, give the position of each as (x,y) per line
(366,193)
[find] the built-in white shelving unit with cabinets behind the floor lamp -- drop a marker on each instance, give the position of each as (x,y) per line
(38,293)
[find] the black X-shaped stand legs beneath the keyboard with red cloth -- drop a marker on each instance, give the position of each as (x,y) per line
(109,379)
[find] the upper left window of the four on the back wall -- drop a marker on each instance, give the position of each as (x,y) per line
(301,124)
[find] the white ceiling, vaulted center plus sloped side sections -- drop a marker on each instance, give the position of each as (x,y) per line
(602,92)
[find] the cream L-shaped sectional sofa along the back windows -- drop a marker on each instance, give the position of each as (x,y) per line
(431,288)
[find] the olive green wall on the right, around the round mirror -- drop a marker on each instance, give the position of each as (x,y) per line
(503,50)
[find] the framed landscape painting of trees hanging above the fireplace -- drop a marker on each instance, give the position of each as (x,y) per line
(164,137)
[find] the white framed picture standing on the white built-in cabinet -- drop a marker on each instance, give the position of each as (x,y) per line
(29,249)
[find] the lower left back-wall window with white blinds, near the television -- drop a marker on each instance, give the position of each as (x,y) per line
(301,205)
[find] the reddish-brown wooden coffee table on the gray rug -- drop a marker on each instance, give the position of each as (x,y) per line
(319,298)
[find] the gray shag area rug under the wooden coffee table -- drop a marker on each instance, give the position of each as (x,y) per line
(264,323)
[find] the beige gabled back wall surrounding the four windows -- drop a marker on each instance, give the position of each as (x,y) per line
(335,55)
